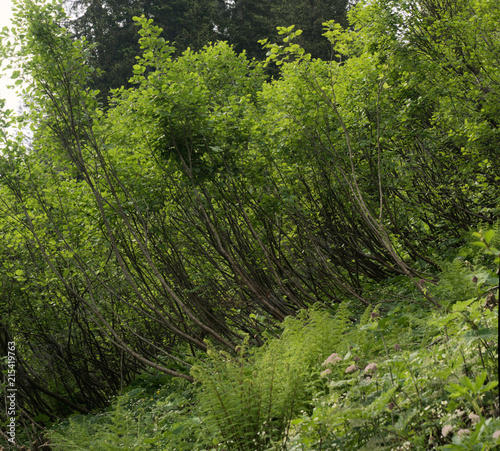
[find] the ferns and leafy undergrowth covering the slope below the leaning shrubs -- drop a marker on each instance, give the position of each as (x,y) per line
(396,376)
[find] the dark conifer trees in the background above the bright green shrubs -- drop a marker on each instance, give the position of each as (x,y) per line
(109,27)
